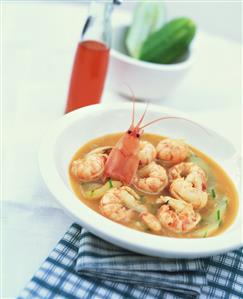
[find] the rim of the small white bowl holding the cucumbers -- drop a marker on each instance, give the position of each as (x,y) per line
(150,65)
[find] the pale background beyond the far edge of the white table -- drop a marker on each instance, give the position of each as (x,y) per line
(215,16)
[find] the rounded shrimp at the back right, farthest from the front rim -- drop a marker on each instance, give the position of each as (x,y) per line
(171,151)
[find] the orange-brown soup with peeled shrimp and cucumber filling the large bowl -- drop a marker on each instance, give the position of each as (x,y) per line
(176,191)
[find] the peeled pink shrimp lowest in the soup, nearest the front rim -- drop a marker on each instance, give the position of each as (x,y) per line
(177,215)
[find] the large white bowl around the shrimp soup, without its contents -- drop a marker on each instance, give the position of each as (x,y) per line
(76,128)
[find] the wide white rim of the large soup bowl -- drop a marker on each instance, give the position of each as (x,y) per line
(107,229)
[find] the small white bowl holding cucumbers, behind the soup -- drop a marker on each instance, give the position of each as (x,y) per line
(148,80)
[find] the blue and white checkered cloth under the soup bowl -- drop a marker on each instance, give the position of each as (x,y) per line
(83,266)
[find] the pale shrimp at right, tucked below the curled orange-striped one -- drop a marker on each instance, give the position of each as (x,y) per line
(184,189)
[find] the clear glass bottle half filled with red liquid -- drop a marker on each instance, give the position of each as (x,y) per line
(92,57)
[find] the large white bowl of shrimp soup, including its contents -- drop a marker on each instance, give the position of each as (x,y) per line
(179,197)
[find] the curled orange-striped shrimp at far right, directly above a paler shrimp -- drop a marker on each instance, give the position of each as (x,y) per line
(191,172)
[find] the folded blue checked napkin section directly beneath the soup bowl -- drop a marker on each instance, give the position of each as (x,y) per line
(97,258)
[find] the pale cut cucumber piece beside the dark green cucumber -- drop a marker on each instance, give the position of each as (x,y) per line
(148,17)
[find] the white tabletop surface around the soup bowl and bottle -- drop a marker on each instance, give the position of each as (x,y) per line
(38,50)
